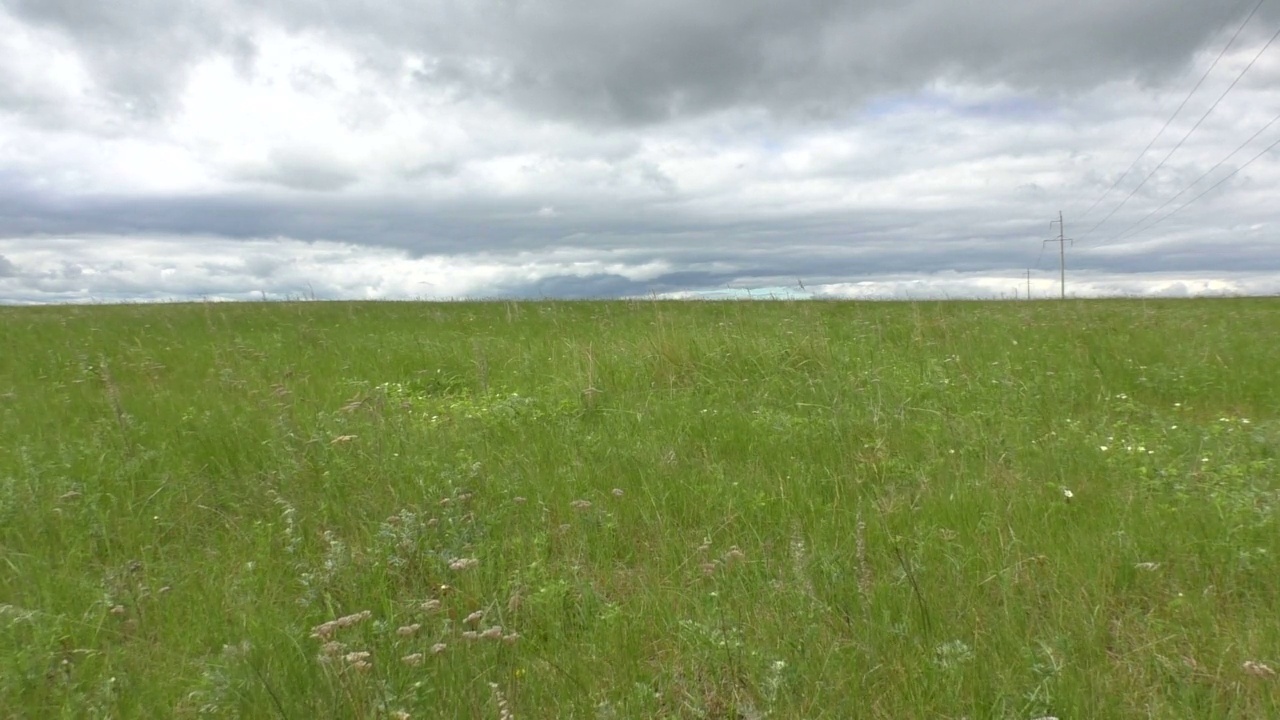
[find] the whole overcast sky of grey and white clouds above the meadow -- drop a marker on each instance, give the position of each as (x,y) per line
(445,149)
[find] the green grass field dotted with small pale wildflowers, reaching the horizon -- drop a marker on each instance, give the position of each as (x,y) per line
(598,511)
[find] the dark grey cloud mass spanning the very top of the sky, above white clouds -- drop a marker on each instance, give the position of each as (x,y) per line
(650,61)
